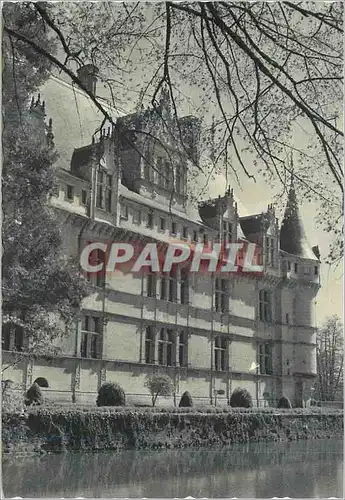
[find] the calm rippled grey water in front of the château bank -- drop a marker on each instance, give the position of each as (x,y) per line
(302,469)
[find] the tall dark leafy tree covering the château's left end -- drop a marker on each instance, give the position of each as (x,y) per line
(42,290)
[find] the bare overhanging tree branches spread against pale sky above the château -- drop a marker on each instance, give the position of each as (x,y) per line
(257,72)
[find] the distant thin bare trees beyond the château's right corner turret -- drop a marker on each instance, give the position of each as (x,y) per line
(330,360)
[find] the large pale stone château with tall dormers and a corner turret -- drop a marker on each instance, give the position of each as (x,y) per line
(210,335)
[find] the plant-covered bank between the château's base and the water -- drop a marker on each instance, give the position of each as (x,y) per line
(95,429)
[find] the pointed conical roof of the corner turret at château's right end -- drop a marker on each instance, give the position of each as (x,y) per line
(292,234)
